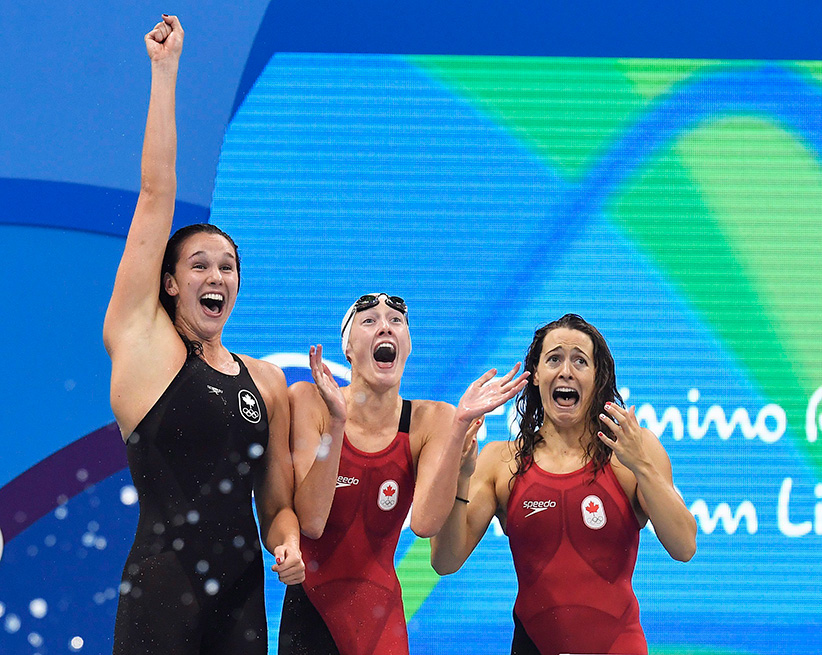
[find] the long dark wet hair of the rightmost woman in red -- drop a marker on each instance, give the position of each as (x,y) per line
(529,403)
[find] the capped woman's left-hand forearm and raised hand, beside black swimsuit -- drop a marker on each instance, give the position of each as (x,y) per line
(318,414)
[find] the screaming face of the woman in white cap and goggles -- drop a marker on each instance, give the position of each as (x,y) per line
(379,344)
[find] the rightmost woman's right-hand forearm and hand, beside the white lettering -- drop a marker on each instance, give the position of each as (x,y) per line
(639,450)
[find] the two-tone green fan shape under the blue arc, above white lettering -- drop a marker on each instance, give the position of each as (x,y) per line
(730,211)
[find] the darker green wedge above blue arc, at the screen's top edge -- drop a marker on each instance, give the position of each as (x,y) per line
(566,110)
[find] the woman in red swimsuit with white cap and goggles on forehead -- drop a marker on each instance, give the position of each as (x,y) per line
(361,453)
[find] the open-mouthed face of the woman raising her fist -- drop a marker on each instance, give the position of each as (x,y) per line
(204,284)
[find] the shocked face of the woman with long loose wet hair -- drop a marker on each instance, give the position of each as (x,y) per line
(565,376)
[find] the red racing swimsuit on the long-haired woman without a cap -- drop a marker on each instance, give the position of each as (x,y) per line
(574,544)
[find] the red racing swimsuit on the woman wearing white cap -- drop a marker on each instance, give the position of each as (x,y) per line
(350,577)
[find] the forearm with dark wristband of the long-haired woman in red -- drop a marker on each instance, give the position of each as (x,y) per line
(468,522)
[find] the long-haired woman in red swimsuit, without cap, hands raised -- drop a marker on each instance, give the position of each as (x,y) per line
(572,493)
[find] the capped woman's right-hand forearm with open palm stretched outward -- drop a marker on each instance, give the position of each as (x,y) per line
(439,460)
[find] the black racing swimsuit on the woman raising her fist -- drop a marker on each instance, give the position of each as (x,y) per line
(193,581)
